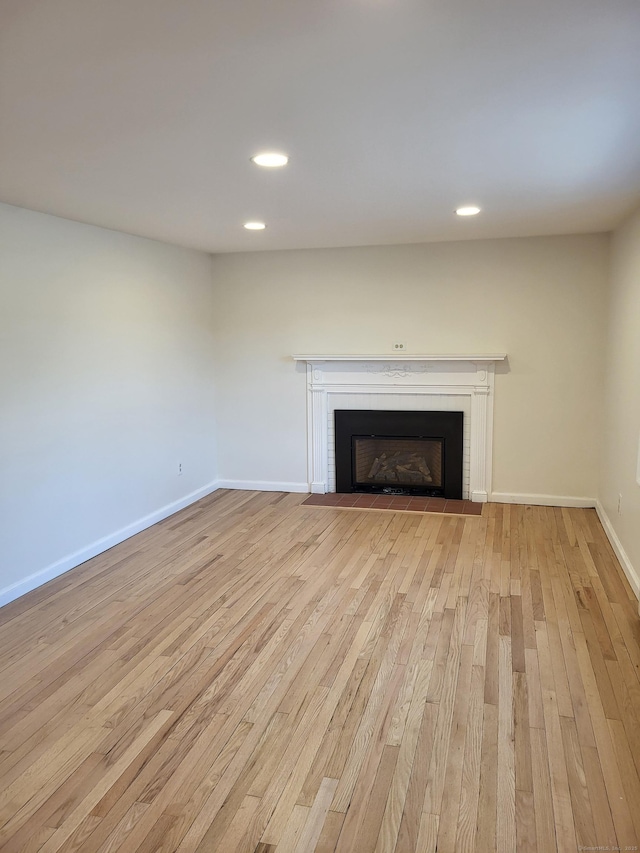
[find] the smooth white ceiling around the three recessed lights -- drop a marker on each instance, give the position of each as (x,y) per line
(141,116)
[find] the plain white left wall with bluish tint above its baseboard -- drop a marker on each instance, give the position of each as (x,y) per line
(106,375)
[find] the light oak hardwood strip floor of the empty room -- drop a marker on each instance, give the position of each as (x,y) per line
(255,675)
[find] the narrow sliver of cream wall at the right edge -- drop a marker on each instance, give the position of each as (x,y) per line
(621,435)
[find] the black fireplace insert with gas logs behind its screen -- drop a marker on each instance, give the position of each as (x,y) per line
(399,453)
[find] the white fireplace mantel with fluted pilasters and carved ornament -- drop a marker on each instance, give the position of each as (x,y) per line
(417,378)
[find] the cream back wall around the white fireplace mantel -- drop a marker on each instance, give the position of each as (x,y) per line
(541,300)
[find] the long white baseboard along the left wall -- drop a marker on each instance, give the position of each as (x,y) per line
(15,590)
